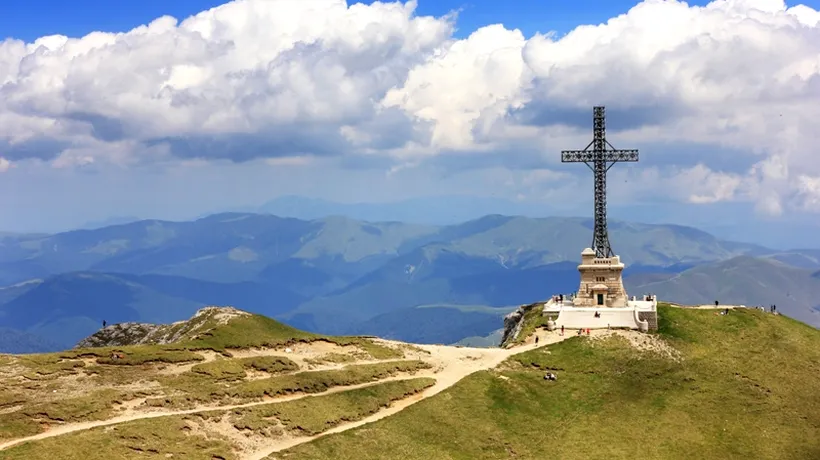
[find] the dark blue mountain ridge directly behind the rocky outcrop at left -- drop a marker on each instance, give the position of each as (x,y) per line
(67,307)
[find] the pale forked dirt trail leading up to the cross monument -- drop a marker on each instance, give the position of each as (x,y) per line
(450,365)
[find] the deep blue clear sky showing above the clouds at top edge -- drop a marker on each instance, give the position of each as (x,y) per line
(30,19)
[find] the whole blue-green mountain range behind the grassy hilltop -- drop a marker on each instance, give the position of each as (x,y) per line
(337,275)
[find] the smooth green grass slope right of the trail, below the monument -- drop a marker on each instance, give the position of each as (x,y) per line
(745,388)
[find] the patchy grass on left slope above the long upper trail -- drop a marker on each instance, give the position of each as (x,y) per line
(84,384)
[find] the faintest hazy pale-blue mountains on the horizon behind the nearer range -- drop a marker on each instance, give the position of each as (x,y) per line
(728,221)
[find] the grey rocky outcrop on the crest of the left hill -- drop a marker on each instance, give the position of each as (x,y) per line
(122,334)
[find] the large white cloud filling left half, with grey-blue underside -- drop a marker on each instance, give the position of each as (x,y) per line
(248,79)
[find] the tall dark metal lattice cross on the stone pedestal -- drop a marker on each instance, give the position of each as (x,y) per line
(602,158)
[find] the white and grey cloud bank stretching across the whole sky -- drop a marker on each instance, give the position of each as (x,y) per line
(732,87)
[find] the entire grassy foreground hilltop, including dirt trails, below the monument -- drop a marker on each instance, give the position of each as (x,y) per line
(239,386)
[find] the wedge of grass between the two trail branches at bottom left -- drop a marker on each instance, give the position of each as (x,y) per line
(188,436)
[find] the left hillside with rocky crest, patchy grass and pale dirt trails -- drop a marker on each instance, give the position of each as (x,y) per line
(224,384)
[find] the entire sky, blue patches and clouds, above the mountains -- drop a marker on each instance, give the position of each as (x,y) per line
(271,99)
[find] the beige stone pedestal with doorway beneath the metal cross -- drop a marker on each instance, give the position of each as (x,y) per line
(601,282)
